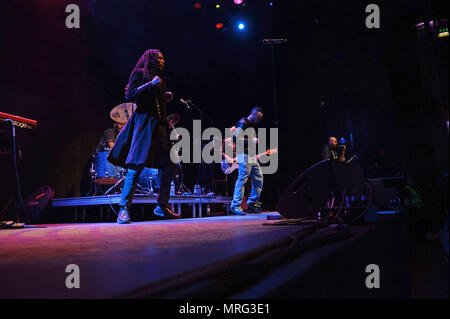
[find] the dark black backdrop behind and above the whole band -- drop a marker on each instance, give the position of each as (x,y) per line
(387,87)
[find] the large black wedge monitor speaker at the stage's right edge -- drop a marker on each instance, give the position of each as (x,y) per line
(312,189)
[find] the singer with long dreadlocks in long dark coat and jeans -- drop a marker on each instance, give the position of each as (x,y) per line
(144,141)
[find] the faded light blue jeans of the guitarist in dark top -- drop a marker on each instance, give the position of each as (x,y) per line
(246,170)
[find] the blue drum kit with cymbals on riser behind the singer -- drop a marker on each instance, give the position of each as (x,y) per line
(105,174)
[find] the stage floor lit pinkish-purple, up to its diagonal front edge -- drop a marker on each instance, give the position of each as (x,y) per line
(116,258)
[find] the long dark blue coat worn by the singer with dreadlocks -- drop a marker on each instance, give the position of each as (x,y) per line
(140,139)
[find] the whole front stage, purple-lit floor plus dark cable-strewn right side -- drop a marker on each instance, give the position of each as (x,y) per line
(211,257)
